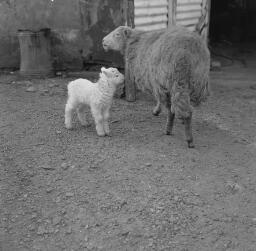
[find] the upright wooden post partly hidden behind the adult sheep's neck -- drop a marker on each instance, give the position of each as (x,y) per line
(130,88)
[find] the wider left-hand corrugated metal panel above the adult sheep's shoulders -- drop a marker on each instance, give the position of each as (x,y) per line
(151,14)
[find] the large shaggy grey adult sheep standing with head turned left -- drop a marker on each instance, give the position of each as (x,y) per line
(173,65)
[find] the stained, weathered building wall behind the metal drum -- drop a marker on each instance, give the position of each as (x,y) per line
(78,27)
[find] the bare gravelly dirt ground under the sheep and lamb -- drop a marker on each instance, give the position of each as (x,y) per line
(136,190)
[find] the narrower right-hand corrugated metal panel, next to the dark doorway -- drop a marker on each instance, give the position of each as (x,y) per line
(188,13)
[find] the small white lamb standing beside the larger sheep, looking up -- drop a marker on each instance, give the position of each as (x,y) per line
(98,96)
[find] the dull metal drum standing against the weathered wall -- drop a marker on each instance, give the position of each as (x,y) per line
(35,52)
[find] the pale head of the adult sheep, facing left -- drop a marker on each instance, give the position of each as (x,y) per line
(116,39)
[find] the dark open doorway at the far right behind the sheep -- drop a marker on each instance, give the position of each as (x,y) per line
(232,31)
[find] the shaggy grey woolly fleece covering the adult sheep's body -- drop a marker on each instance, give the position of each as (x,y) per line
(153,56)
